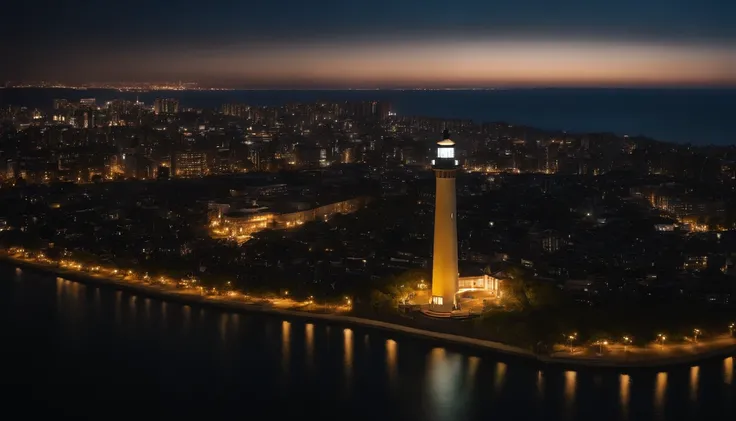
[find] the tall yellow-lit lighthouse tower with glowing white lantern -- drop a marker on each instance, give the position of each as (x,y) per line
(444,266)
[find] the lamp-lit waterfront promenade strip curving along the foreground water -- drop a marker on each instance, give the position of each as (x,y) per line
(612,356)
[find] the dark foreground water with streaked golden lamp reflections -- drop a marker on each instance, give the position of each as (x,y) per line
(75,351)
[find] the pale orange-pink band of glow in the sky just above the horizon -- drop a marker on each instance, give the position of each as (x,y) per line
(427,63)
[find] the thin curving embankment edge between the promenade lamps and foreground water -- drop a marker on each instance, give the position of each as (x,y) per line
(457,340)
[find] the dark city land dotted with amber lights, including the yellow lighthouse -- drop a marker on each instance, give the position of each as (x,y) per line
(356,195)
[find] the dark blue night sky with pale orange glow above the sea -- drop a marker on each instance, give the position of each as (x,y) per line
(377,43)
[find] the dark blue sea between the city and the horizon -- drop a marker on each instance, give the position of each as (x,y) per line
(697,116)
